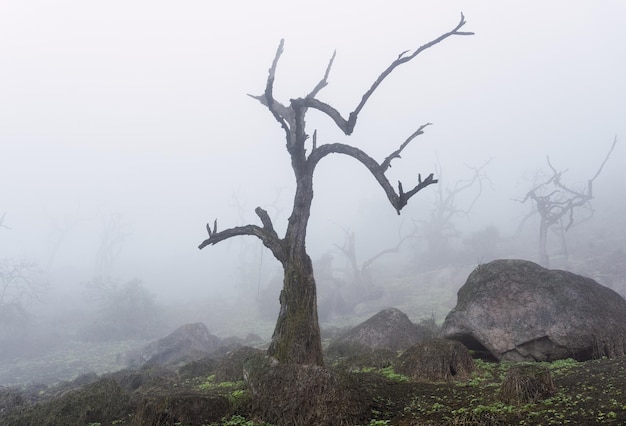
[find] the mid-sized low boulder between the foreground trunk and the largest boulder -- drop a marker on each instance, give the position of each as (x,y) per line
(389,329)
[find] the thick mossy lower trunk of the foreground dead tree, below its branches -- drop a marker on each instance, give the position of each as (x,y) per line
(296,338)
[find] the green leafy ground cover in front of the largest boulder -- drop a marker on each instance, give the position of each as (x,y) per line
(586,393)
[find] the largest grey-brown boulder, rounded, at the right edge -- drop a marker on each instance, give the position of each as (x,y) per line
(520,311)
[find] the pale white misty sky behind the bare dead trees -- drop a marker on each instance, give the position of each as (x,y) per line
(139,110)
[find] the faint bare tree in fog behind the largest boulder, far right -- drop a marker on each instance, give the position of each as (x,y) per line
(556,203)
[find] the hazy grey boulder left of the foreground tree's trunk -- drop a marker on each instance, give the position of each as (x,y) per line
(189,342)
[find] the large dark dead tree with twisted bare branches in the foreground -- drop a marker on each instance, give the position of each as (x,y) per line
(296,338)
